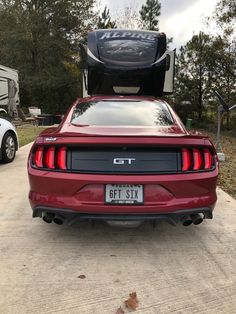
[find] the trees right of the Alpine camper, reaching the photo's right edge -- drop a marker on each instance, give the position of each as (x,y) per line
(207,63)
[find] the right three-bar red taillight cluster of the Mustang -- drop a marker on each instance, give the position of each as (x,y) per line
(195,159)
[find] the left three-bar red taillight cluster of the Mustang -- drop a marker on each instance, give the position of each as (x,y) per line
(50,158)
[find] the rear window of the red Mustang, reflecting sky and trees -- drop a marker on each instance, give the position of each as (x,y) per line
(124,113)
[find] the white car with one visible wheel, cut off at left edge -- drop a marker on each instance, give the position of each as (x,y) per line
(8,141)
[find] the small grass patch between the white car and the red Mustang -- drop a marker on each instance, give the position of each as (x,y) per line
(28,133)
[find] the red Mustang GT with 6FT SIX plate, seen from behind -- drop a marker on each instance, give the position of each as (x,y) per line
(122,159)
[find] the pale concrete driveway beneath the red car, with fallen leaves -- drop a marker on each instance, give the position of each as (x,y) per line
(172,269)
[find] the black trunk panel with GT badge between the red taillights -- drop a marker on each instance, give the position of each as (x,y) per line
(130,160)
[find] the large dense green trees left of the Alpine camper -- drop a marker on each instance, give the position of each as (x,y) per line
(40,39)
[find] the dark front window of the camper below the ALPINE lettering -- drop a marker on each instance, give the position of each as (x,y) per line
(128,50)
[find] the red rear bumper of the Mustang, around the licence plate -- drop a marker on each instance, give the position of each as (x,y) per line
(83,194)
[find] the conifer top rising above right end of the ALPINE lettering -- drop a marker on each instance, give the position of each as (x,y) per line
(149,14)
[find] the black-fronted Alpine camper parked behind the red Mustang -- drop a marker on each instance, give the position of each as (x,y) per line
(127,62)
